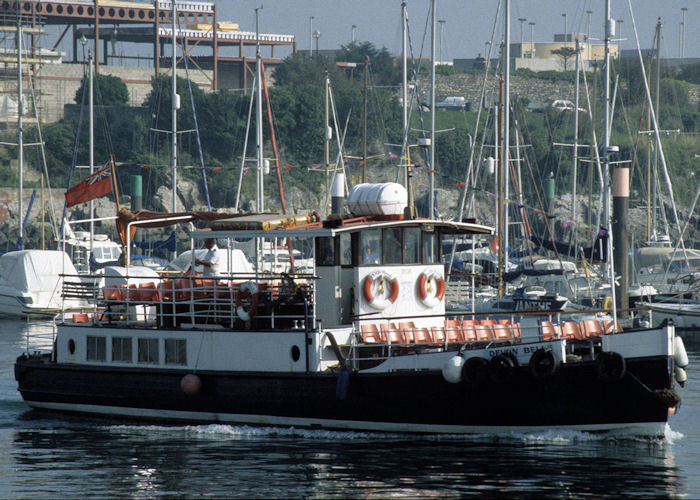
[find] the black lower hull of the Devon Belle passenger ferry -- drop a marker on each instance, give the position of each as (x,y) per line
(413,401)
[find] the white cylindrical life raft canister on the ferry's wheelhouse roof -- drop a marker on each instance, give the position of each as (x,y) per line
(388,198)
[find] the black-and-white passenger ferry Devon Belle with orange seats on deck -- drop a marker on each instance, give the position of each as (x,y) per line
(361,343)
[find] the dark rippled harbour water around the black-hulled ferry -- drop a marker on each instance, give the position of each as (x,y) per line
(50,455)
